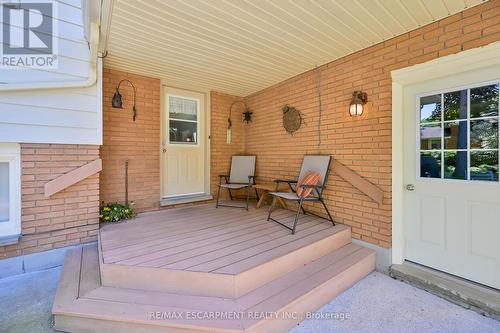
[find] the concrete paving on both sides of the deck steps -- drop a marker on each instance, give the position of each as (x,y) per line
(375,304)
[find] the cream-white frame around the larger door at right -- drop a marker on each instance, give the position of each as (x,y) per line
(466,61)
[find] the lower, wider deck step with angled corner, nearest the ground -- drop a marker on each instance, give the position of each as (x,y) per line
(82,304)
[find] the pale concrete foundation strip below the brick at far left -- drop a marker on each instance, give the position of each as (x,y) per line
(33,262)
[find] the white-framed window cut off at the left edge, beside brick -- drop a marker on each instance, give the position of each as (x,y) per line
(10,190)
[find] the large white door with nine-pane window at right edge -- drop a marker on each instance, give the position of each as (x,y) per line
(451,202)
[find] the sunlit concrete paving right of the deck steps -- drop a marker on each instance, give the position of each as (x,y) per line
(379,303)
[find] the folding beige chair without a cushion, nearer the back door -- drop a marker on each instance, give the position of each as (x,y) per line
(241,176)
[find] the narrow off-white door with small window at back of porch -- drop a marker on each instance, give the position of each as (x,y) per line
(183,143)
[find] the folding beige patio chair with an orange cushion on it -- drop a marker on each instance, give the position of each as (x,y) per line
(315,163)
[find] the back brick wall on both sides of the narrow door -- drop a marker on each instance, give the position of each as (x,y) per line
(139,141)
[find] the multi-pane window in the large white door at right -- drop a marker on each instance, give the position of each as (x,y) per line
(459,134)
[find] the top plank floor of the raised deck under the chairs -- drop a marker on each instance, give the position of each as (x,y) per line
(205,239)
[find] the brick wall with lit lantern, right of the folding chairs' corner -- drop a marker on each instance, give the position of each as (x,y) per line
(363,144)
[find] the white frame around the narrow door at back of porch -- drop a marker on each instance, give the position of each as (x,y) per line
(207,111)
